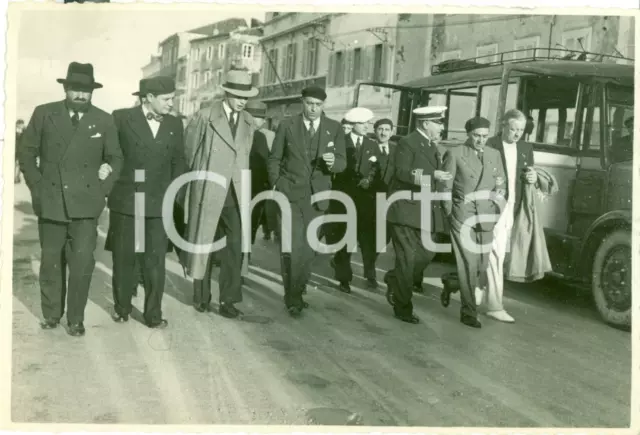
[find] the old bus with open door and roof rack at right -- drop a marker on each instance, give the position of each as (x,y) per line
(580,116)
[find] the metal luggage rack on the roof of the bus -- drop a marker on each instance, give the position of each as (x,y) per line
(529,55)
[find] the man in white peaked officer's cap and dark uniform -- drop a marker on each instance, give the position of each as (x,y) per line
(416,165)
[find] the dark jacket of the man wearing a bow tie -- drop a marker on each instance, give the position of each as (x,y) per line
(161,158)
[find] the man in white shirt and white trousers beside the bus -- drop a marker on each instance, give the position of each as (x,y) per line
(517,158)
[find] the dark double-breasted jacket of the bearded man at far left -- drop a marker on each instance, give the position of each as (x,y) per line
(66,184)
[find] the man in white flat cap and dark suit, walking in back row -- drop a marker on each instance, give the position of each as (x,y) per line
(355,181)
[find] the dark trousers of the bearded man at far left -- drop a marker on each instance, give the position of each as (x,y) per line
(65,244)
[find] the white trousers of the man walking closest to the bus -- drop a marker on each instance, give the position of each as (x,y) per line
(495,271)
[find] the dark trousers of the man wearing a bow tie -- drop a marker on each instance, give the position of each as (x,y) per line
(125,270)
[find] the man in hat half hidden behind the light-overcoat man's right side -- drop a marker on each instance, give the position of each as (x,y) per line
(262,214)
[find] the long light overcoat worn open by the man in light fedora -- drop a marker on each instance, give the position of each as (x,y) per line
(210,146)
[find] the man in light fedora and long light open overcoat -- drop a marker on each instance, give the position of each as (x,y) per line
(218,139)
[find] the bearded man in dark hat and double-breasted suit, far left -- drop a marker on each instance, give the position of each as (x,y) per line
(71,139)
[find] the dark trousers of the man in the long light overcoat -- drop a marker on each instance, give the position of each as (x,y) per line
(230,259)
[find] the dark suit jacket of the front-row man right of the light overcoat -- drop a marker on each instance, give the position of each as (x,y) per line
(295,173)
